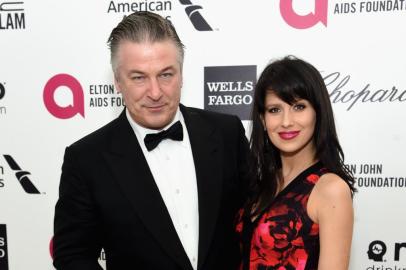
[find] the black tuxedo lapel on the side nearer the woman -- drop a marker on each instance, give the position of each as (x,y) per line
(207,152)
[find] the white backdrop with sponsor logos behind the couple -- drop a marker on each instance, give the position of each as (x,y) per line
(56,86)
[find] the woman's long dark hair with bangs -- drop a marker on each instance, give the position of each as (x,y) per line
(290,79)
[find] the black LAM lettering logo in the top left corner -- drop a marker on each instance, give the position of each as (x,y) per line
(12,15)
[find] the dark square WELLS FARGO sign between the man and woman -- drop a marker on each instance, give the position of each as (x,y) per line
(229,89)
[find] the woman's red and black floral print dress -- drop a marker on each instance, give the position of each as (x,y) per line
(283,237)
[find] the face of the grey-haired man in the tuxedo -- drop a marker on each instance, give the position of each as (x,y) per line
(149,76)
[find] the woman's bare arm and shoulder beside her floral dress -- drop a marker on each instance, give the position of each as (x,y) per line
(330,205)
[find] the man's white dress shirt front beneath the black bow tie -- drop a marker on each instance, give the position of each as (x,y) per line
(173,169)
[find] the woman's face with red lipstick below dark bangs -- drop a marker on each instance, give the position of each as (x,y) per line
(290,127)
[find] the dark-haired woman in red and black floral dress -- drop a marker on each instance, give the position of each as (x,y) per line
(299,214)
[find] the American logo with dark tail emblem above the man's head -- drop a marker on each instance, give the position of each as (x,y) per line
(192,11)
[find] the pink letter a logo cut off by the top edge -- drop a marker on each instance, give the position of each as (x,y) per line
(304,21)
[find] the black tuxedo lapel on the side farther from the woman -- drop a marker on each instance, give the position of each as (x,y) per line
(131,171)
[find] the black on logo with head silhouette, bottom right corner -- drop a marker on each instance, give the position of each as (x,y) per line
(376,252)
